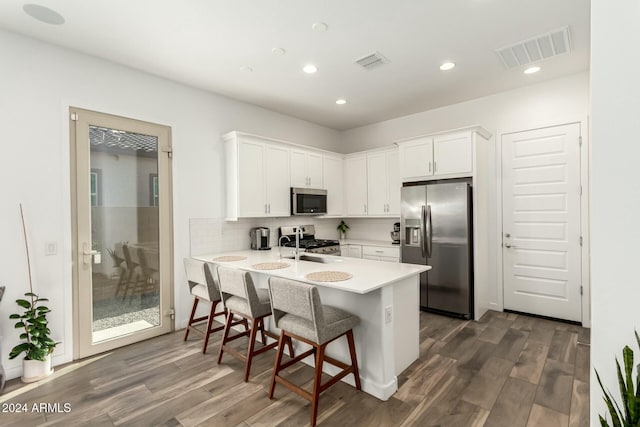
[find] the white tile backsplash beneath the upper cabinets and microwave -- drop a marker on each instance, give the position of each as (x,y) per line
(215,235)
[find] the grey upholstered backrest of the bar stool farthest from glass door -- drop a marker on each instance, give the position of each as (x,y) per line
(299,299)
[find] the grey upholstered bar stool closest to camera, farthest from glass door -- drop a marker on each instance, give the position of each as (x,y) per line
(299,313)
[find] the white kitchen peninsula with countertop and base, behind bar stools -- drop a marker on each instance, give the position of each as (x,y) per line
(384,295)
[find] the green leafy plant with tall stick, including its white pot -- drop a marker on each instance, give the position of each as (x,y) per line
(37,344)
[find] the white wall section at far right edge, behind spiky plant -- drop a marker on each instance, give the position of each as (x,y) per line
(615,189)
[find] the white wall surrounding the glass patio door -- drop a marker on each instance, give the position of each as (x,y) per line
(38,82)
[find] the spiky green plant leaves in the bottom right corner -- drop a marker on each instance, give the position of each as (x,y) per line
(629,414)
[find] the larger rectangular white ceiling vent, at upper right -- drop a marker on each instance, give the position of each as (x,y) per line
(535,49)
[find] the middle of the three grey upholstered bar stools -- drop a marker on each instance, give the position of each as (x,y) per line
(241,298)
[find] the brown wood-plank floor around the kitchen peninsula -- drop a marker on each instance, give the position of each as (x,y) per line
(506,370)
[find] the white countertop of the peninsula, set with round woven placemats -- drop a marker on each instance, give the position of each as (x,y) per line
(368,275)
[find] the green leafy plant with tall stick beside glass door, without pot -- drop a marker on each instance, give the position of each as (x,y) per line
(37,335)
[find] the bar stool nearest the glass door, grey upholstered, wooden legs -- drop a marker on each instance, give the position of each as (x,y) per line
(202,286)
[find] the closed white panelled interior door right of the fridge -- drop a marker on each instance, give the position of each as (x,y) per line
(541,222)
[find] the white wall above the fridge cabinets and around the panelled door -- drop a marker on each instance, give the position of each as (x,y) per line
(543,104)
